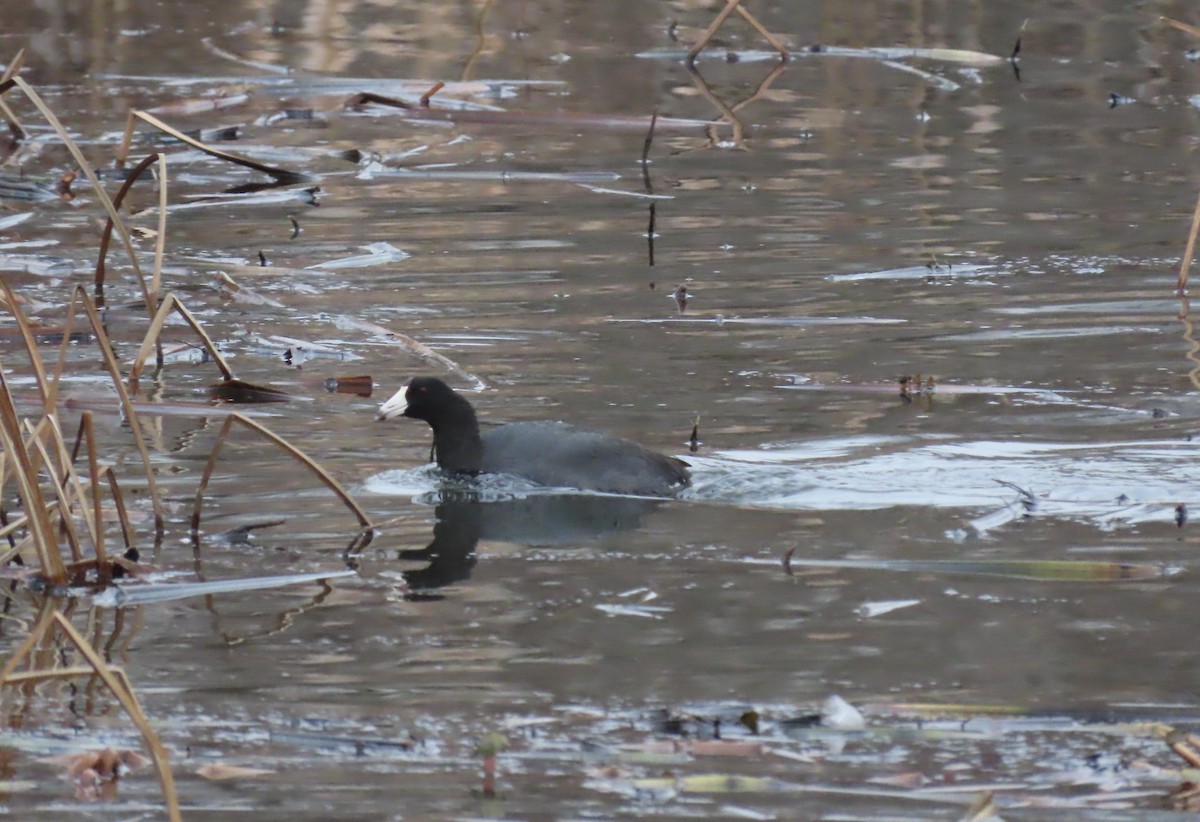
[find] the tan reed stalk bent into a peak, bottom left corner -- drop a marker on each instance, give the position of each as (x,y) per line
(118,685)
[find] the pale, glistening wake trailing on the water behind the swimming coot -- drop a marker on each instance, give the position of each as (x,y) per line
(1088,481)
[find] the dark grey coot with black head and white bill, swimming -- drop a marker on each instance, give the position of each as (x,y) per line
(551,454)
